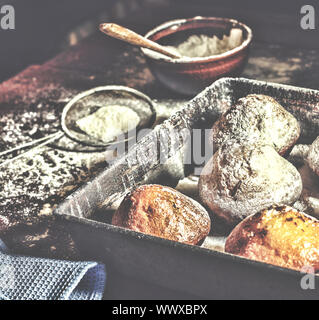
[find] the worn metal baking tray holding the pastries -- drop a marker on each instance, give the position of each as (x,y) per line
(206,273)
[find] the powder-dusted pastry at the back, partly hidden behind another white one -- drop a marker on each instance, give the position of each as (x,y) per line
(257,117)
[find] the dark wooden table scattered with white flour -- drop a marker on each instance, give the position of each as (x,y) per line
(30,107)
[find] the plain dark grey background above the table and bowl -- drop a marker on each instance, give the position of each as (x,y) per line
(42,26)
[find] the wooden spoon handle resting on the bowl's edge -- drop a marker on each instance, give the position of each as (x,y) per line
(119,32)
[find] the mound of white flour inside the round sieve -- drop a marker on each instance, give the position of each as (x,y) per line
(109,122)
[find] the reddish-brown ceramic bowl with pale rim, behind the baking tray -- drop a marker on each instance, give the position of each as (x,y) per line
(191,75)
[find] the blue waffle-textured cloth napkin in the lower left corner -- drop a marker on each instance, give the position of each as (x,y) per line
(27,278)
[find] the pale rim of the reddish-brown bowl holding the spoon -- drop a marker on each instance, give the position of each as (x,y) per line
(183,60)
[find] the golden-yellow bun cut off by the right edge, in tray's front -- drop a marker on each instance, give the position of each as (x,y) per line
(281,236)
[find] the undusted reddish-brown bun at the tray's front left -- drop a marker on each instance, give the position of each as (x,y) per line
(163,212)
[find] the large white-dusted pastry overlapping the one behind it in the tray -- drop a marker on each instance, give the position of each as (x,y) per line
(243,178)
